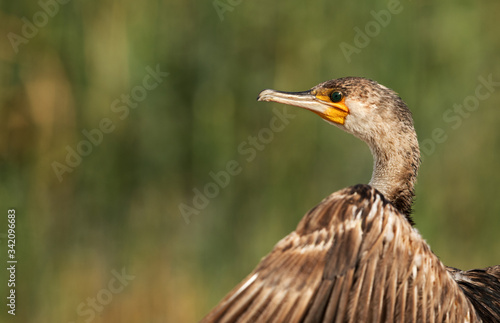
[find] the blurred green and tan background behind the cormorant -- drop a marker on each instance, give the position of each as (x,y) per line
(119,207)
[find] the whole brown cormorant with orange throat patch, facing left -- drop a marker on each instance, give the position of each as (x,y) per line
(355,257)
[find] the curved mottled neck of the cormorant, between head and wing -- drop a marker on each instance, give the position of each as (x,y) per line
(395,169)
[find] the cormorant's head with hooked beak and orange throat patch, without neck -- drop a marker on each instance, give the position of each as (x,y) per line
(360,106)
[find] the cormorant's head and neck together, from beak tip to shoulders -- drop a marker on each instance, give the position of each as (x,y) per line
(376,115)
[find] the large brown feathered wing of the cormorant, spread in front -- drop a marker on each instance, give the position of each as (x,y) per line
(352,258)
